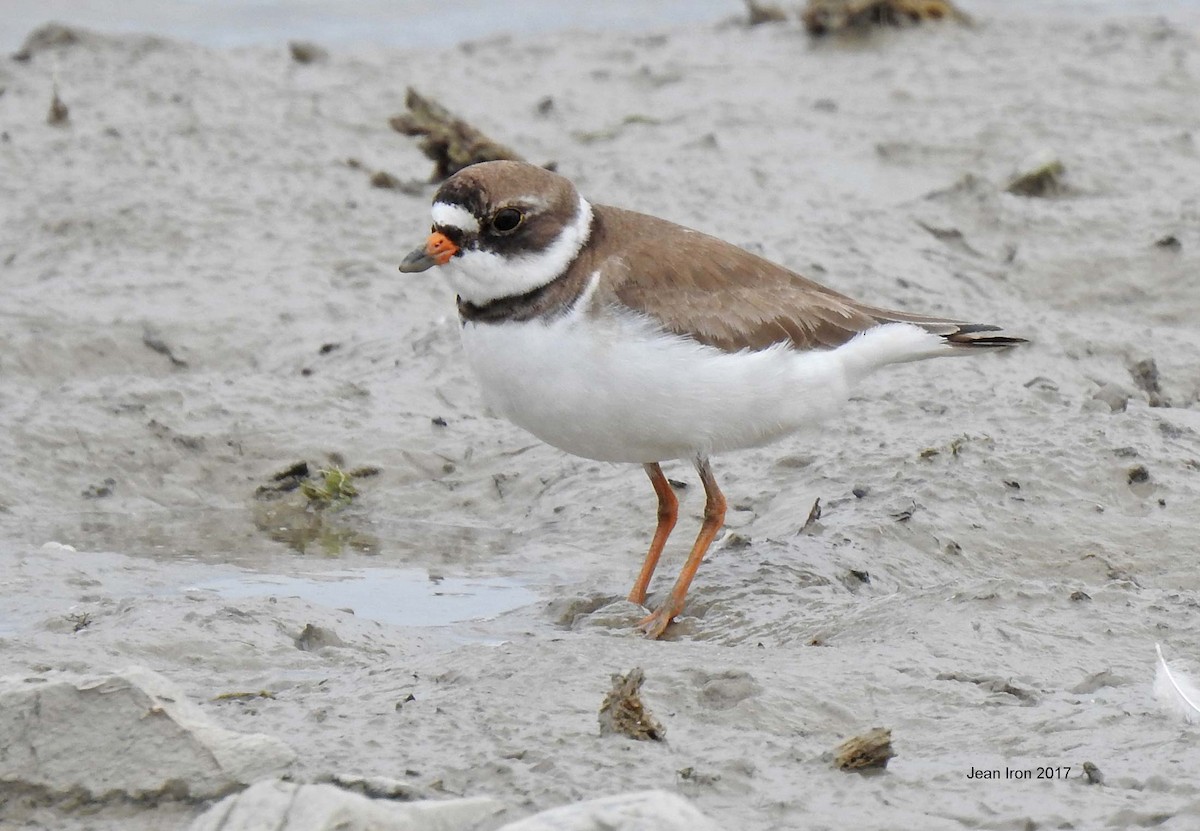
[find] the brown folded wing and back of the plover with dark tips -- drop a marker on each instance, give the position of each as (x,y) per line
(725,297)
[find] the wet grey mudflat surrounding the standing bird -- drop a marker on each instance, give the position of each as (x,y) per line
(1018,579)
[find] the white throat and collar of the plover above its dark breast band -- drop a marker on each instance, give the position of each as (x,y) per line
(482,277)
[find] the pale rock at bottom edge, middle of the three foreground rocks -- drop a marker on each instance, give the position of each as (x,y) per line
(284,806)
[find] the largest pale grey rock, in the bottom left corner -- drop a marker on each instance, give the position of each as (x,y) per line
(131,734)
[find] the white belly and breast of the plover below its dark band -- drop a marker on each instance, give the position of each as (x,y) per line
(615,387)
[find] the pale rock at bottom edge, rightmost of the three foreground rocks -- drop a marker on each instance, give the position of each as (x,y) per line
(641,811)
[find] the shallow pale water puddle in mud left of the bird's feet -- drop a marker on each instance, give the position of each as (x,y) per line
(399,596)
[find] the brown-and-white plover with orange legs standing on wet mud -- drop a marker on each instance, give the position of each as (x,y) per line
(626,338)
